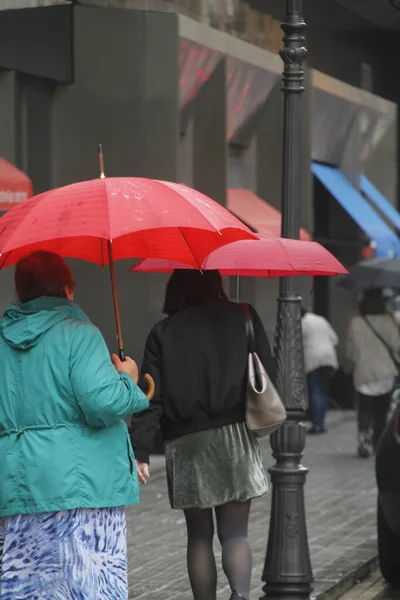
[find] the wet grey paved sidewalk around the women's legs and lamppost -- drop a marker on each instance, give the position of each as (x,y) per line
(340,501)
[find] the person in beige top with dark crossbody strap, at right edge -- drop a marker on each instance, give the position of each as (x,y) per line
(372,355)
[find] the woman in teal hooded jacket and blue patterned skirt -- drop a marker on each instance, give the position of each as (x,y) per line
(67,468)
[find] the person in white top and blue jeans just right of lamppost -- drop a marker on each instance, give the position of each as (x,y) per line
(320,359)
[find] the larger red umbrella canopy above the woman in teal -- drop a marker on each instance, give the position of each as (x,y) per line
(141,217)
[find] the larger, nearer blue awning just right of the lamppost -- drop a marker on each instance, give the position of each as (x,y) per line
(358,208)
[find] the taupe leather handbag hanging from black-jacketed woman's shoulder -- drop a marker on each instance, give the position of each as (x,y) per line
(265,412)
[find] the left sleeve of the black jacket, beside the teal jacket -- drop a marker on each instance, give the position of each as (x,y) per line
(144,425)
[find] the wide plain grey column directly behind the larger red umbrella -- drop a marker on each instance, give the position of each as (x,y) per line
(126,98)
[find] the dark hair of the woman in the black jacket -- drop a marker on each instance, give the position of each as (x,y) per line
(192,288)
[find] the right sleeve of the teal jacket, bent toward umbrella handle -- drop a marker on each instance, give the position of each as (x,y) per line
(104,395)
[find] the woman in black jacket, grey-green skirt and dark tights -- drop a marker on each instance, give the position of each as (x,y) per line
(198,359)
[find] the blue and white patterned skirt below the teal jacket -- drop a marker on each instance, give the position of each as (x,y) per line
(76,554)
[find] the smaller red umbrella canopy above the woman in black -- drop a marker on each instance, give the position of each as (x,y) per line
(265,257)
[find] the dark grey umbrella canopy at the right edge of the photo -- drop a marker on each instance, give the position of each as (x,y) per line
(373,274)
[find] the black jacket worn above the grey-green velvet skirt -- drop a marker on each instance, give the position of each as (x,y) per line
(198,360)
